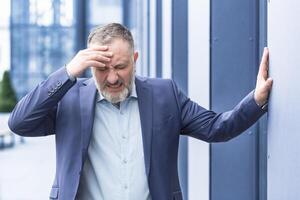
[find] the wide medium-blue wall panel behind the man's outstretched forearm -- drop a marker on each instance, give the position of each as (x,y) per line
(234,60)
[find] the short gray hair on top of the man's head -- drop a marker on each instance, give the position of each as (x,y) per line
(106,34)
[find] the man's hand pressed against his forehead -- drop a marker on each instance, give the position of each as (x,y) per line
(93,56)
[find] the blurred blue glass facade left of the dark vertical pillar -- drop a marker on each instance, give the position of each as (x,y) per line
(42,40)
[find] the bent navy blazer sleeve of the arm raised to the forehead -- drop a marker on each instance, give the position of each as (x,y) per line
(35,114)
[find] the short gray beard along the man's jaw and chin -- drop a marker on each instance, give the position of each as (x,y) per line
(120,96)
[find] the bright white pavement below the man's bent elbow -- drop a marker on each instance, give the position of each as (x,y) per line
(27,170)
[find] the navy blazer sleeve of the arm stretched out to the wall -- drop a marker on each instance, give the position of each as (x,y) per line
(209,126)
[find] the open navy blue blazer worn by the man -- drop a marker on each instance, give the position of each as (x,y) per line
(66,108)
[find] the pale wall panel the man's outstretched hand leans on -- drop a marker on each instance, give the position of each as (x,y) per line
(284,109)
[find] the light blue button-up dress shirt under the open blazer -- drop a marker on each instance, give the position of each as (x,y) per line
(115,168)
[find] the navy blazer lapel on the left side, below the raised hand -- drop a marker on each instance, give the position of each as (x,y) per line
(87,112)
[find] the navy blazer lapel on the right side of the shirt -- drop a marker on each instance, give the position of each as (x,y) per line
(144,93)
